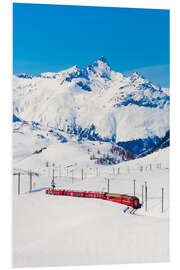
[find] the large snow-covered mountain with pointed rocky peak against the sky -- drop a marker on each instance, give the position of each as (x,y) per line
(96,103)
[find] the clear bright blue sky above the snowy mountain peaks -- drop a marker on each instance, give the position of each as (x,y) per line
(54,37)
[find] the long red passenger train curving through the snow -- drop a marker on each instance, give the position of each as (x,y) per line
(132,201)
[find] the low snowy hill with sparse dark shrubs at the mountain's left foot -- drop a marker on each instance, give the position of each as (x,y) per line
(31,138)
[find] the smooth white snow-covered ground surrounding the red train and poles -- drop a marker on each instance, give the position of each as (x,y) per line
(57,230)
